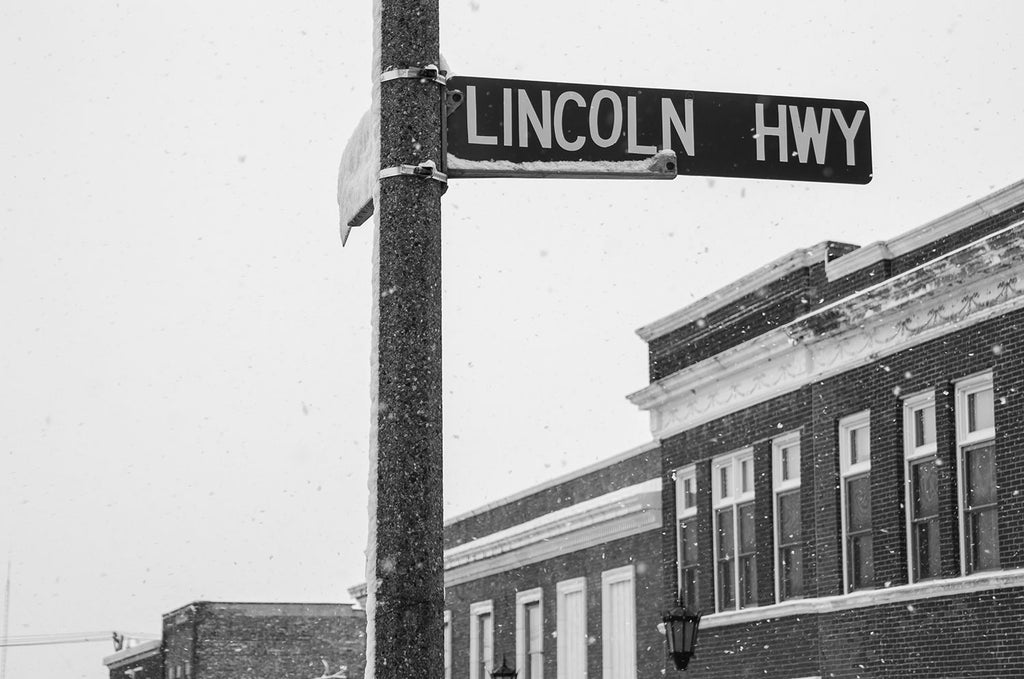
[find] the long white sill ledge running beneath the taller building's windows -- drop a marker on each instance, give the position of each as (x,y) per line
(989,581)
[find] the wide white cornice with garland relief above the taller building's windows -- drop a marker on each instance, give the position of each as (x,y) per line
(968,286)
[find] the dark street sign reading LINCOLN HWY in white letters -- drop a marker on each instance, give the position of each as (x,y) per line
(502,129)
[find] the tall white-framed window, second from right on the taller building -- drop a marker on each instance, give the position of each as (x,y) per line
(922,487)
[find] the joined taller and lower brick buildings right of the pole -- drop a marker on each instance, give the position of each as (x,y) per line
(836,480)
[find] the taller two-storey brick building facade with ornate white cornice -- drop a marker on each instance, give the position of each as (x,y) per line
(843,454)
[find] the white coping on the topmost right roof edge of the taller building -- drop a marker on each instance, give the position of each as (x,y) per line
(948,225)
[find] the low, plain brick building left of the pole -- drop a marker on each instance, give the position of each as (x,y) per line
(211,641)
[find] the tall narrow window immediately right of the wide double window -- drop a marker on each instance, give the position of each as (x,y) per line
(789,538)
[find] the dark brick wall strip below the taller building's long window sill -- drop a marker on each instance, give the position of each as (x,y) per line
(977,635)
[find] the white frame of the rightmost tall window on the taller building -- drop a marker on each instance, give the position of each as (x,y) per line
(968,441)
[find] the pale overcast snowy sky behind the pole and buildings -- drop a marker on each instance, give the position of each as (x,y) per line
(185,344)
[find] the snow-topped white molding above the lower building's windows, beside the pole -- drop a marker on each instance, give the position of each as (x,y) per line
(612,517)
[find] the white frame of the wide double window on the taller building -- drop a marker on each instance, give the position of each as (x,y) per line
(736,499)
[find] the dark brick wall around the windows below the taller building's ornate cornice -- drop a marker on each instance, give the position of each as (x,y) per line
(969,635)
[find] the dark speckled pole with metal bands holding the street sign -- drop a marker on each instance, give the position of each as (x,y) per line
(405,570)
